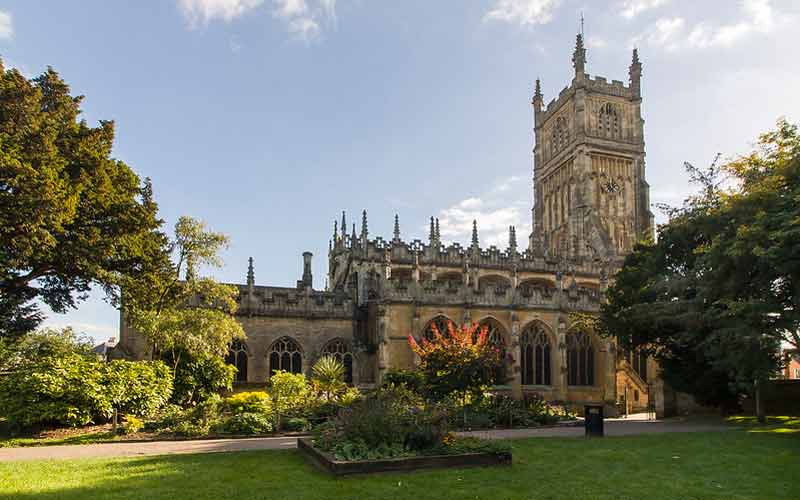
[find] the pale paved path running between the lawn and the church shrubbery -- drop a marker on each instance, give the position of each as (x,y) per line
(613,427)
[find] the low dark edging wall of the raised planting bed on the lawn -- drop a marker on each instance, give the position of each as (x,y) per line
(326,462)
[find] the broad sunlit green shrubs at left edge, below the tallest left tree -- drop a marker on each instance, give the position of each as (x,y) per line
(52,378)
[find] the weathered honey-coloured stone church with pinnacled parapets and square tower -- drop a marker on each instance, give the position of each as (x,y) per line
(591,203)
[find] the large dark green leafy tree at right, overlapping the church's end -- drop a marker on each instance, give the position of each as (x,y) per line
(718,292)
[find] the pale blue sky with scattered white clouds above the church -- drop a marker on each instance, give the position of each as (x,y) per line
(267,118)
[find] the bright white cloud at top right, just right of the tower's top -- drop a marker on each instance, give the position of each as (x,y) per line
(674,33)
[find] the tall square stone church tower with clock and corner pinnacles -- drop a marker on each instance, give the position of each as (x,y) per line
(591,200)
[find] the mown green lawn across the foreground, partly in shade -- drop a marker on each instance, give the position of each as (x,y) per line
(725,465)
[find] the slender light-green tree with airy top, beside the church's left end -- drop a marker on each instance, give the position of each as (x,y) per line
(189,323)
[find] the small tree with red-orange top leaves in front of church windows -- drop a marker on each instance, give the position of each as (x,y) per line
(461,361)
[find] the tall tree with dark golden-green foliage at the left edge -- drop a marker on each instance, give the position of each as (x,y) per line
(71,216)
